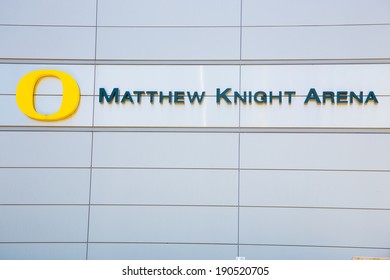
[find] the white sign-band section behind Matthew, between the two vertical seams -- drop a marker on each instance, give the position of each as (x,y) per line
(188,79)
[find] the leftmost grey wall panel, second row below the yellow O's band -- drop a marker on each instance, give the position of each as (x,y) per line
(44,186)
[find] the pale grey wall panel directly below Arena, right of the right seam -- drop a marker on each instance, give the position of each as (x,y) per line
(315,151)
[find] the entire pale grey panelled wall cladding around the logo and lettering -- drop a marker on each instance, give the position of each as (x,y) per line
(132,181)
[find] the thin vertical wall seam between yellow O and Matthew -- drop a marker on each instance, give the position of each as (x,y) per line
(92,132)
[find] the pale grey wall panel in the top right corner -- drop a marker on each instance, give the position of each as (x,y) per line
(306,12)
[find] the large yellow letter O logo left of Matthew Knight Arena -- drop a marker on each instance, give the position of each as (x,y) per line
(25,93)
